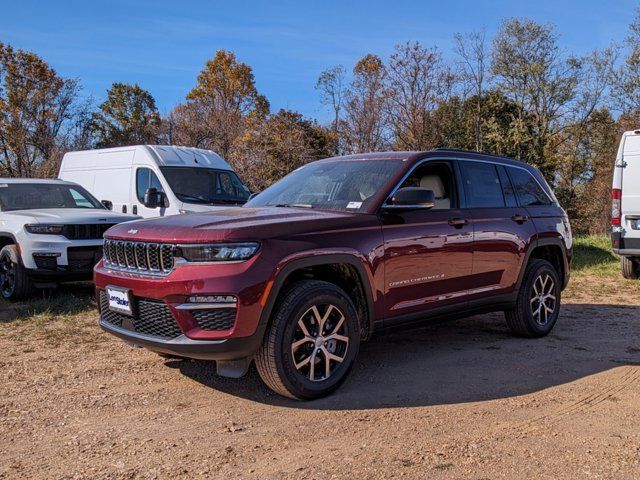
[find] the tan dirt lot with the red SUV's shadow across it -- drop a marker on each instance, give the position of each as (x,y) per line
(462,399)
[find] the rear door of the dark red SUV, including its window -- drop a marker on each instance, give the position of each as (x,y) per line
(502,228)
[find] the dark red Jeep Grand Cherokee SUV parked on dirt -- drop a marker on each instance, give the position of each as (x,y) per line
(334,252)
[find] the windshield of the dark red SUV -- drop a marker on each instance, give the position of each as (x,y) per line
(335,185)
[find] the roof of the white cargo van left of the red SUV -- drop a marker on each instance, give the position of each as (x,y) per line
(168,155)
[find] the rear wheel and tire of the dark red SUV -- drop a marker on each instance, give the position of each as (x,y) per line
(535,313)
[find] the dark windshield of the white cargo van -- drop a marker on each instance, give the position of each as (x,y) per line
(206,185)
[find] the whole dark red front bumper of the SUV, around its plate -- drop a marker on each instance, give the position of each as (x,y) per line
(160,321)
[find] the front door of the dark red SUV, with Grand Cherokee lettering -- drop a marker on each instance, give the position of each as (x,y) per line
(428,253)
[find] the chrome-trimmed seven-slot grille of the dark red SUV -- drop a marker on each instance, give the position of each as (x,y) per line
(139,257)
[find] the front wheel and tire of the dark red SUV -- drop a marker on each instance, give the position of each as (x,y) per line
(281,364)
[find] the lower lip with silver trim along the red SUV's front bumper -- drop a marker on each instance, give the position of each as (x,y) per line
(221,350)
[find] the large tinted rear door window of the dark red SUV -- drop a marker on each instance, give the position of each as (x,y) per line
(482,185)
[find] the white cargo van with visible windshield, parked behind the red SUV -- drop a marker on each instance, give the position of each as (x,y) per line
(155,180)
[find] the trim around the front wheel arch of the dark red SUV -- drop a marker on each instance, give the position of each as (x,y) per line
(316,260)
